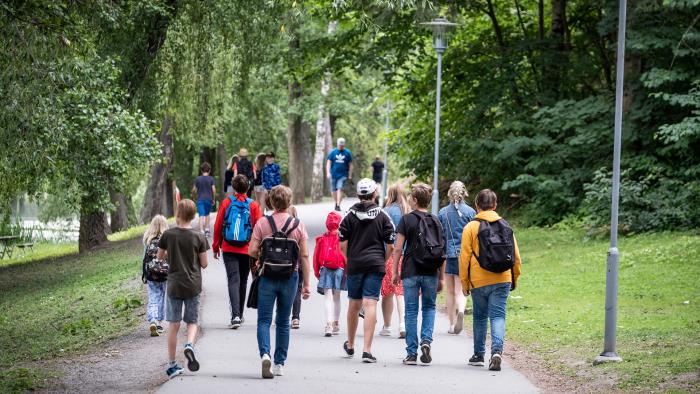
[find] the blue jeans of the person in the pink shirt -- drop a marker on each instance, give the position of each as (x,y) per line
(283,291)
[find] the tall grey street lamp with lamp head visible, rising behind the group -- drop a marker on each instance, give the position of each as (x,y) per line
(440,28)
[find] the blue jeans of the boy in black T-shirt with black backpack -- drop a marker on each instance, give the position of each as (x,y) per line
(425,287)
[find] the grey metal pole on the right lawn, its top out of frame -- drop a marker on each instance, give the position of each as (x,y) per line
(609,348)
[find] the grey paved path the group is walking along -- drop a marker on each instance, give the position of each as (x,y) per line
(230,363)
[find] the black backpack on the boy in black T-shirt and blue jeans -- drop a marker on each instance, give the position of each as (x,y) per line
(428,249)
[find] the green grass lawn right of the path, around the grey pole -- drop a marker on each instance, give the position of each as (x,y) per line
(558,310)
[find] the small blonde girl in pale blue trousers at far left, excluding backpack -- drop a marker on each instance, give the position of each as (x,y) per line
(156,290)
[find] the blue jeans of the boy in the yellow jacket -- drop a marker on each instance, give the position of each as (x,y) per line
(490,303)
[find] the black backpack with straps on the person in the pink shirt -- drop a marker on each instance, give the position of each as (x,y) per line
(279,253)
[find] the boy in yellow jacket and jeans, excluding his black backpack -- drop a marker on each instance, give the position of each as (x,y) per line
(489,290)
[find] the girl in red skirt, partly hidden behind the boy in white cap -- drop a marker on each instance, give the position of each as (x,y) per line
(396,207)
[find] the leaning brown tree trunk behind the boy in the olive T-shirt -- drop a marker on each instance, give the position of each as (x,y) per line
(157,199)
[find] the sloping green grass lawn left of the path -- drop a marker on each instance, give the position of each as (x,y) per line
(60,306)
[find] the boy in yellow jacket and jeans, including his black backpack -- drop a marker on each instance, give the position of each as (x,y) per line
(489,268)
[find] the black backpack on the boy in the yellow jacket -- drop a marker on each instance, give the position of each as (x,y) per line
(496,246)
